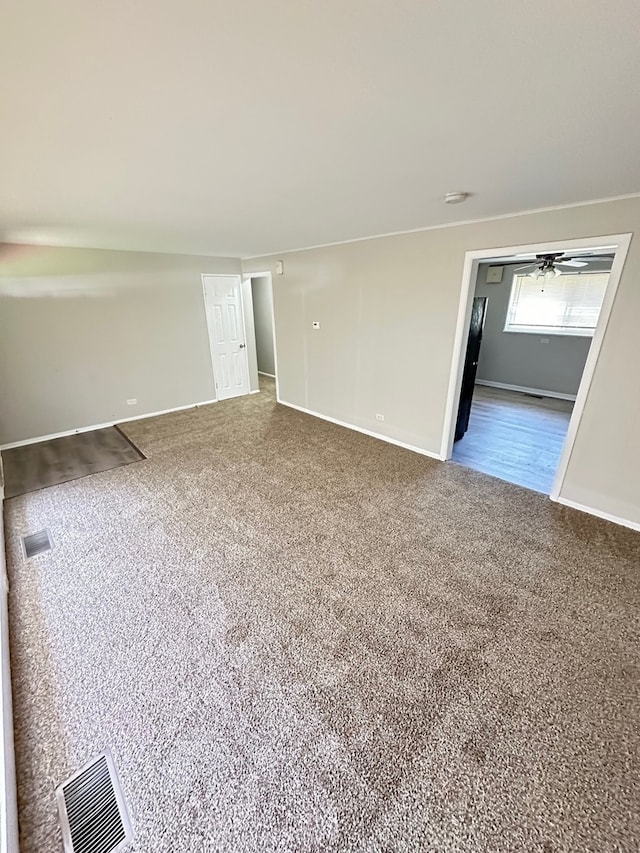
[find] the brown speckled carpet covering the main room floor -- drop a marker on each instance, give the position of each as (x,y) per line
(295,637)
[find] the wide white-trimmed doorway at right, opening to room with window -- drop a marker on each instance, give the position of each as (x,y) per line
(528,327)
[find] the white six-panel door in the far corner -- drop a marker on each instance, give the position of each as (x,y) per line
(223,302)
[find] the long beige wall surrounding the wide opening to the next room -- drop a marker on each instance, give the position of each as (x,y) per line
(388,310)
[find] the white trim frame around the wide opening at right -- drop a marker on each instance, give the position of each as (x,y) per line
(472,260)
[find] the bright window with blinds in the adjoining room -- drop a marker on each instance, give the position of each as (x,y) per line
(568,304)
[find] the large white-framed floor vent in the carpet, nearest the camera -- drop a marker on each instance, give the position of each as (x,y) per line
(93,813)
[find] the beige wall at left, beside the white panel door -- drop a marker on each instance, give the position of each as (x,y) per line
(82,331)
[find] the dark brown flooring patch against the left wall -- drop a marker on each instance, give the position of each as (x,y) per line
(48,463)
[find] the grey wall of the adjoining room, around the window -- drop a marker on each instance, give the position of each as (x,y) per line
(545,362)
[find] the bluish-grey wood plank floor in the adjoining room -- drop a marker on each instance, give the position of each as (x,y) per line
(515,437)
